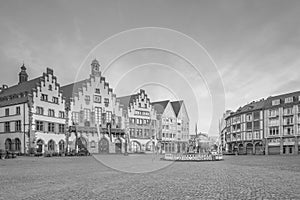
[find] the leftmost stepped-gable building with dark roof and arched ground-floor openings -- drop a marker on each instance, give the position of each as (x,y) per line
(32,114)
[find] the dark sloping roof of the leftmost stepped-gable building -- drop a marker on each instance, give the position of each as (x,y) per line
(20,88)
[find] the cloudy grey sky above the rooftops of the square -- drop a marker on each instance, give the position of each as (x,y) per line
(253,45)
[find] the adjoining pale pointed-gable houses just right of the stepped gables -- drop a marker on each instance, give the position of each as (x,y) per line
(172,125)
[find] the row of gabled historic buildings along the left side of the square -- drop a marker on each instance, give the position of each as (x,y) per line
(41,114)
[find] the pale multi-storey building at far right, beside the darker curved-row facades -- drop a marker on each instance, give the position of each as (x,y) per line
(282,124)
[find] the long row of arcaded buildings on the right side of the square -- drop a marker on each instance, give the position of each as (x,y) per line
(268,126)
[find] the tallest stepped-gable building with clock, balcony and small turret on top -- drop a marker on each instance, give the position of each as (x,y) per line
(94,115)
